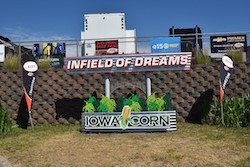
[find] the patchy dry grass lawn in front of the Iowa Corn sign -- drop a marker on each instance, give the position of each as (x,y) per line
(64,145)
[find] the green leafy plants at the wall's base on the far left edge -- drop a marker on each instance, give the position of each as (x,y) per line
(5,120)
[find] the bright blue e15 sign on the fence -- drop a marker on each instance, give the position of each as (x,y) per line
(165,44)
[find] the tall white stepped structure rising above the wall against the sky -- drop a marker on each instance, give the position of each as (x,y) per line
(103,29)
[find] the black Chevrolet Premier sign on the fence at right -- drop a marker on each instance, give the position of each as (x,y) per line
(223,44)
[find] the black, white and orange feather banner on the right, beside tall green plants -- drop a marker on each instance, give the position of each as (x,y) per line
(226,68)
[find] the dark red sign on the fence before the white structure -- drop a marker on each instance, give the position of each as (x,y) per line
(106,47)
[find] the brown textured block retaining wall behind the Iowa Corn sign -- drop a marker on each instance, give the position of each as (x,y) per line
(56,91)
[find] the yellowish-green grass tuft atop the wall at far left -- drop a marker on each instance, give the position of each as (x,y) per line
(11,63)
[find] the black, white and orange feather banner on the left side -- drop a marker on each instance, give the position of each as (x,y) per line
(29,78)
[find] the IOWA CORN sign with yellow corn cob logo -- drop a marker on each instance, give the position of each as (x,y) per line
(127,121)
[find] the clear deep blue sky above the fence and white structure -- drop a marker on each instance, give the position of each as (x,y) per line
(26,20)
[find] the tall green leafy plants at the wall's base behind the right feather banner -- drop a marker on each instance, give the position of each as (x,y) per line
(236,111)
